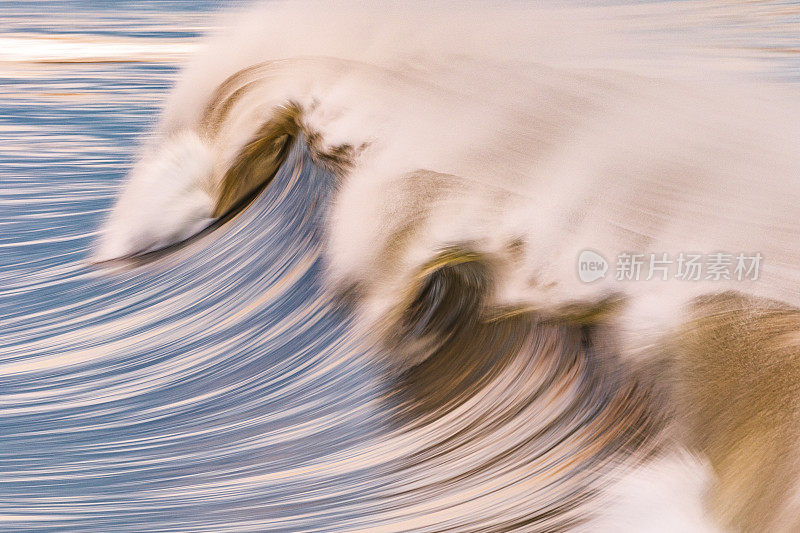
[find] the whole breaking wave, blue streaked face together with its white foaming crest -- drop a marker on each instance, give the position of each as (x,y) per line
(347,296)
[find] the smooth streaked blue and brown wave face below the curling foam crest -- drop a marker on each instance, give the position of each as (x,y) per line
(235,393)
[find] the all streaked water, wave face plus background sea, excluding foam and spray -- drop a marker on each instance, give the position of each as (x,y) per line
(223,386)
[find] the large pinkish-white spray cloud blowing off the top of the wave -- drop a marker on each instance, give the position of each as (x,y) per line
(563,128)
